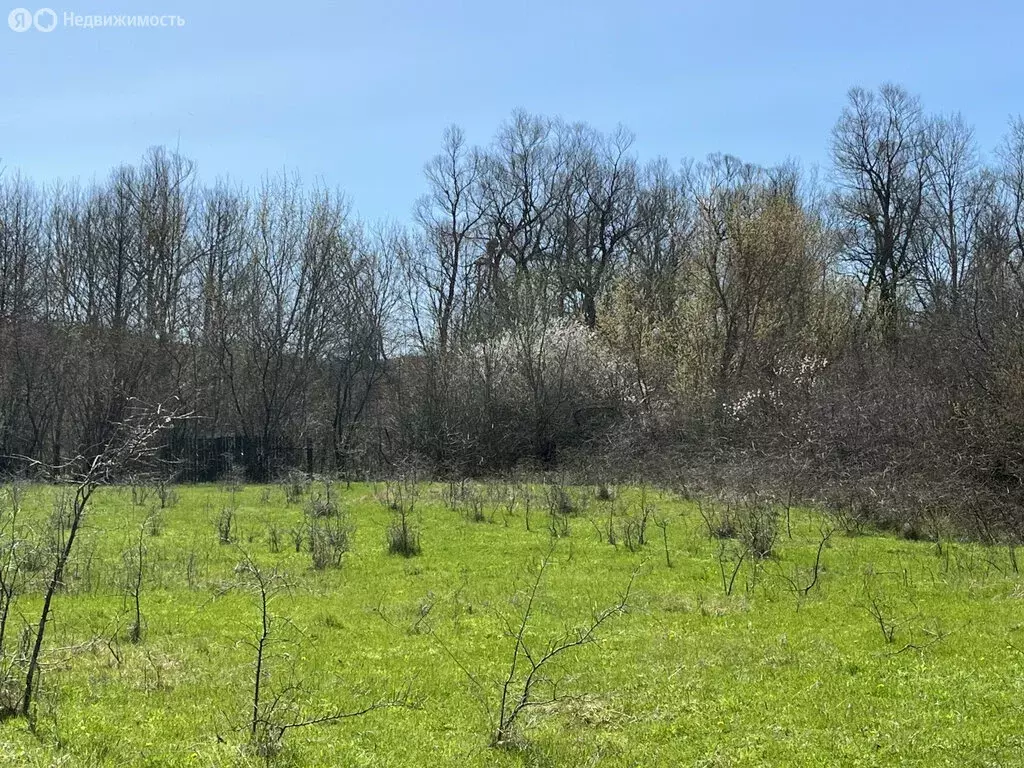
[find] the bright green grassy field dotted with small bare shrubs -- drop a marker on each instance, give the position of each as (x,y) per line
(902,654)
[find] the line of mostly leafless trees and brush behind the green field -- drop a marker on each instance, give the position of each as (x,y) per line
(554,302)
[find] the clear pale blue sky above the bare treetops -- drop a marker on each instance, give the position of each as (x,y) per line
(358,95)
